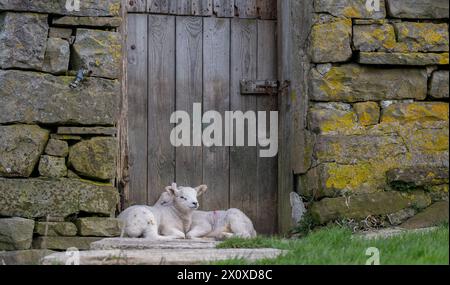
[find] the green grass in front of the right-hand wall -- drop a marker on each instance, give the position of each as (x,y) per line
(336,246)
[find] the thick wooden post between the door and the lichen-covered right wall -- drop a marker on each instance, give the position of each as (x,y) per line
(294,24)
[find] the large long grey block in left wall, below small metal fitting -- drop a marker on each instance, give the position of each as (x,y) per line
(33,97)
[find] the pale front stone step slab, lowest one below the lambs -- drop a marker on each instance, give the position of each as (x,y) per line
(162,256)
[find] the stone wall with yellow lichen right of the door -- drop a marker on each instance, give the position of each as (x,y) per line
(378,114)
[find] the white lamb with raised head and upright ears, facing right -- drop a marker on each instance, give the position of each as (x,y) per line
(163,221)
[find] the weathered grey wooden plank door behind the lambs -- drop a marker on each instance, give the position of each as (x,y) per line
(186,52)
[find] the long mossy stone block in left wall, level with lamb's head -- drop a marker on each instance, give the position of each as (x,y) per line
(55,197)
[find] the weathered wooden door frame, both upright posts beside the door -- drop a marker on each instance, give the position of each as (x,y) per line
(294,20)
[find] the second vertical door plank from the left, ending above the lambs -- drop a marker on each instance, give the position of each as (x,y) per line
(161,79)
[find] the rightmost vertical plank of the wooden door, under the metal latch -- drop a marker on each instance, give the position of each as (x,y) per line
(267,167)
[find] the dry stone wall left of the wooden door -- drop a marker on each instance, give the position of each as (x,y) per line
(58,142)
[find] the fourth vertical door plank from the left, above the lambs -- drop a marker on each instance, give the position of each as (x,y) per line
(216,89)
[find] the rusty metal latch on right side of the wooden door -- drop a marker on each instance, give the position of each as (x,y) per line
(262,87)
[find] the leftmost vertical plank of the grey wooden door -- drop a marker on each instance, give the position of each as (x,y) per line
(137,104)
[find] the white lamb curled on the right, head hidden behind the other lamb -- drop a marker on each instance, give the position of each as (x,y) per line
(216,224)
